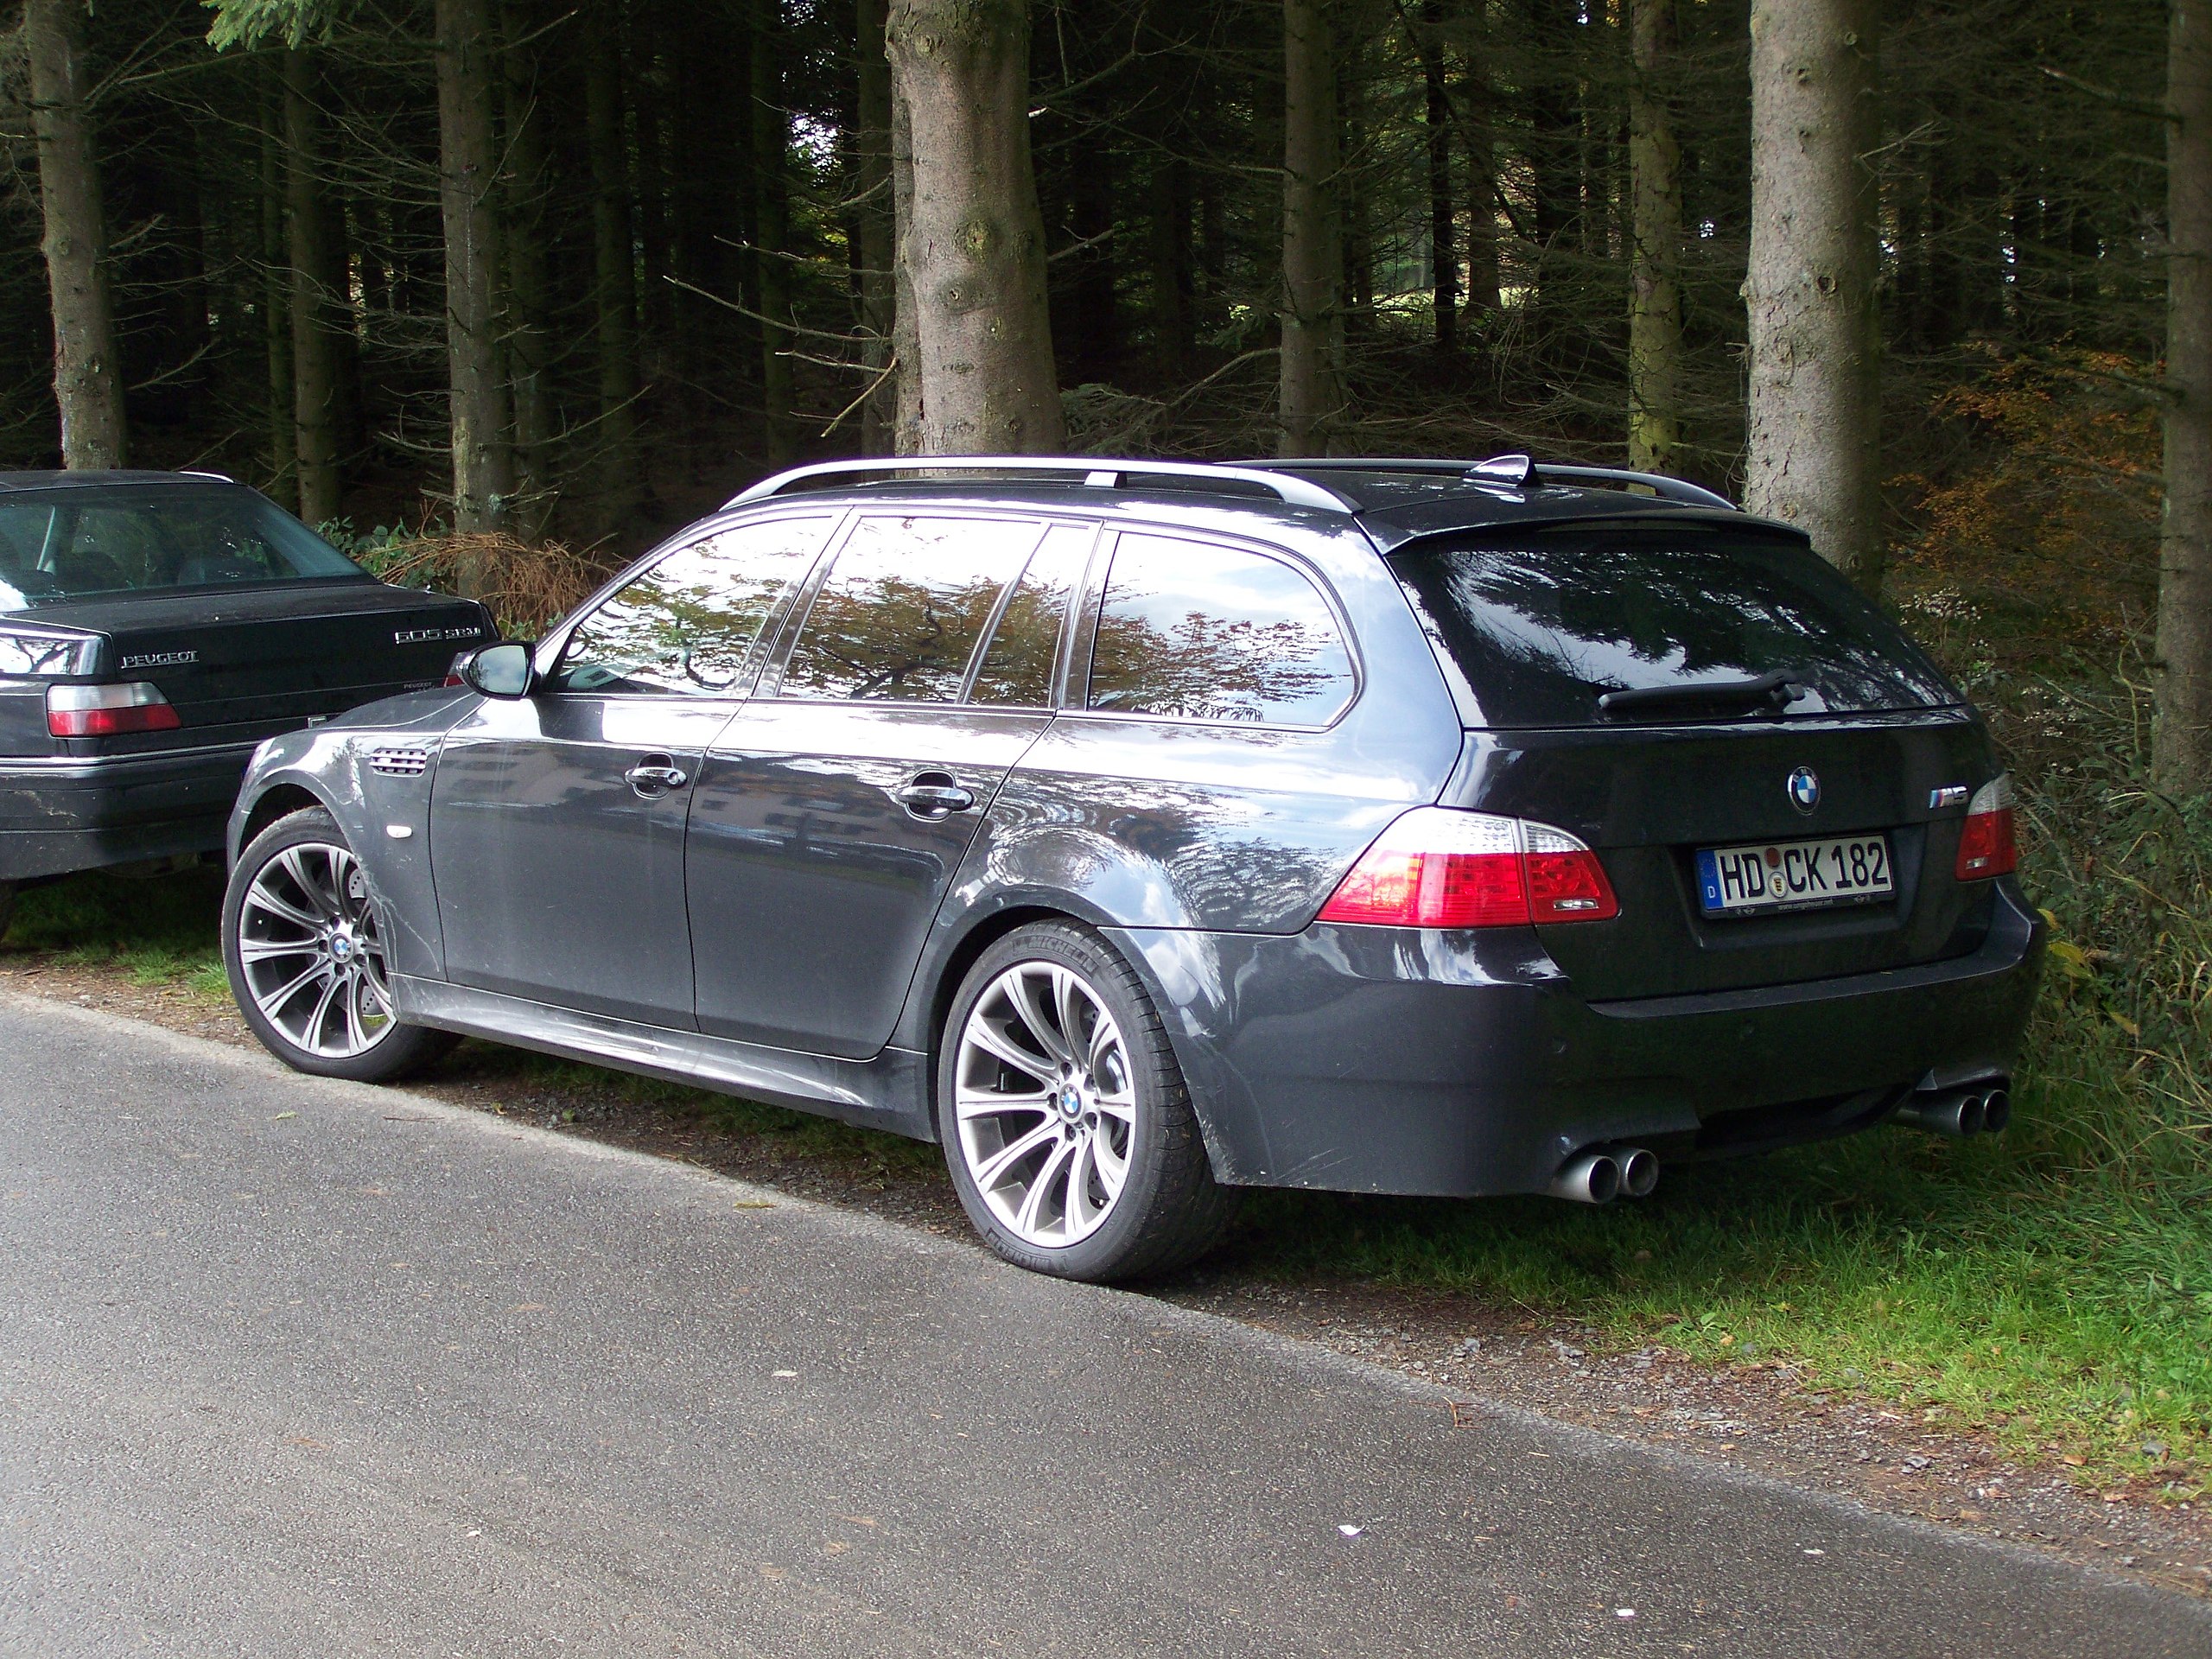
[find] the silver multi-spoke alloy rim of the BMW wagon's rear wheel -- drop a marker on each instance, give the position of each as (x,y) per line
(1045,1105)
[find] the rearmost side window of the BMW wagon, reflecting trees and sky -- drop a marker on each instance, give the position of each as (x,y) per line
(1202,632)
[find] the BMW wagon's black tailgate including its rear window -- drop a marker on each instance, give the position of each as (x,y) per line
(1768,709)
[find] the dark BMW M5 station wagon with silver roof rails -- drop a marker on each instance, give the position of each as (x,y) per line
(1147,831)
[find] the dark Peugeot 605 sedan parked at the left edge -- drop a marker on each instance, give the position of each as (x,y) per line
(156,627)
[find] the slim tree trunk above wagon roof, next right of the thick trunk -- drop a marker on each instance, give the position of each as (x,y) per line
(1313,253)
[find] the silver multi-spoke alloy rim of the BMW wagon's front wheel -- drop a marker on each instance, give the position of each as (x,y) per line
(313,952)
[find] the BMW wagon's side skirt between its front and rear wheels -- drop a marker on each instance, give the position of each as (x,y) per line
(888,1092)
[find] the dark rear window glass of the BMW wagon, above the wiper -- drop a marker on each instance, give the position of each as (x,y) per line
(1536,629)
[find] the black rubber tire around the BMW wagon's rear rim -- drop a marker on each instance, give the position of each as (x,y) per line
(1169,1209)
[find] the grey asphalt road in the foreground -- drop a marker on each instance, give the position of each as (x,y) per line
(295,1368)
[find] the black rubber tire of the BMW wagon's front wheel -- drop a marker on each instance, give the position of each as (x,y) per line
(251,924)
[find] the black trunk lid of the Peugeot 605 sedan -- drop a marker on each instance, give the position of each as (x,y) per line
(247,662)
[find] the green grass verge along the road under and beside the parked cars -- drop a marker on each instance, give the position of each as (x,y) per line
(2052,1286)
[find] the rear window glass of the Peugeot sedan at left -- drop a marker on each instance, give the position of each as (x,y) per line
(152,539)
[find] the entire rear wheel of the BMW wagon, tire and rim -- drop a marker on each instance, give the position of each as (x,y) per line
(1065,1118)
